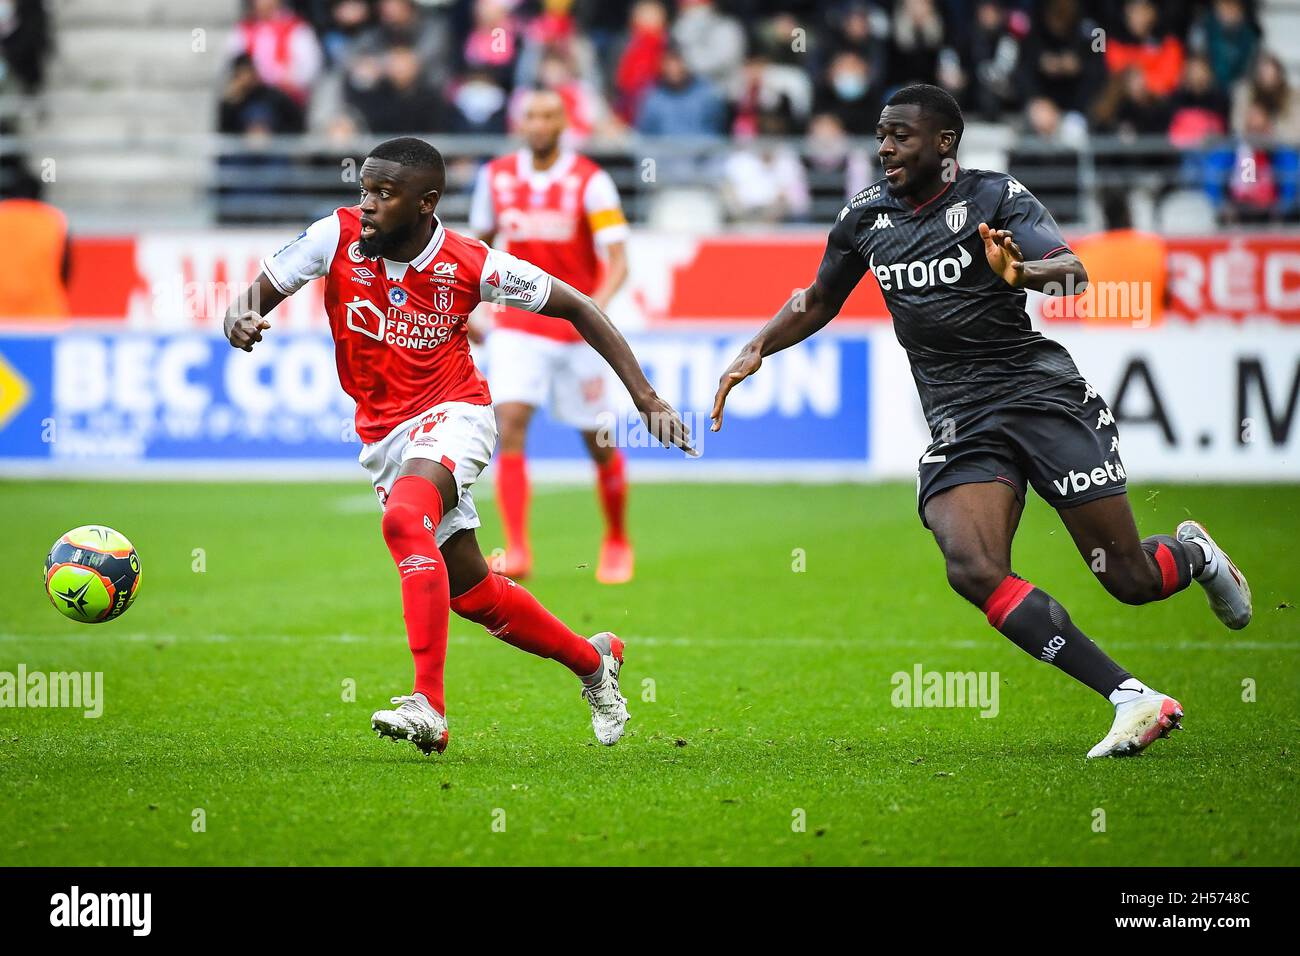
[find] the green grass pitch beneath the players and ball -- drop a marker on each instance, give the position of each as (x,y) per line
(772,693)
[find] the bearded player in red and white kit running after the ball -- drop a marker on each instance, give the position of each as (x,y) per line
(400,289)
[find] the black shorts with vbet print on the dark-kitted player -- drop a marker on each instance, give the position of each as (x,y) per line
(1061,440)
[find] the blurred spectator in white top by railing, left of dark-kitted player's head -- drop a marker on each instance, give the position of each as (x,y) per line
(765,184)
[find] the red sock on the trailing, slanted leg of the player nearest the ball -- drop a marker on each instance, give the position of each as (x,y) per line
(509,612)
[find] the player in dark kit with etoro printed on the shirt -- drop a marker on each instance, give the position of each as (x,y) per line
(954,252)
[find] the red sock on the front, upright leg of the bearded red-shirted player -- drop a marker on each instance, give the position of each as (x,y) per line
(413,512)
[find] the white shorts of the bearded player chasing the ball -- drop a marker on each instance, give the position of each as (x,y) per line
(458,435)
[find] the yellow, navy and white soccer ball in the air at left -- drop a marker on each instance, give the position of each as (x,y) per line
(93,574)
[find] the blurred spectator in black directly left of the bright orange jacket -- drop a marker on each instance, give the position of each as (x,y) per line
(1059,60)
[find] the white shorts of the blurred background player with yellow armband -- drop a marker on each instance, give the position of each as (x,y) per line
(567,379)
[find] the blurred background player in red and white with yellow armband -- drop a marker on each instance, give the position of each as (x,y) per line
(560,211)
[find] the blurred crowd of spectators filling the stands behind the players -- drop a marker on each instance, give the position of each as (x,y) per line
(1197,77)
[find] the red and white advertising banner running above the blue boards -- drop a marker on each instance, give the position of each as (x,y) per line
(184,280)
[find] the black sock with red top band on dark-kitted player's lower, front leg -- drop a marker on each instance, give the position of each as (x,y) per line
(1042,628)
